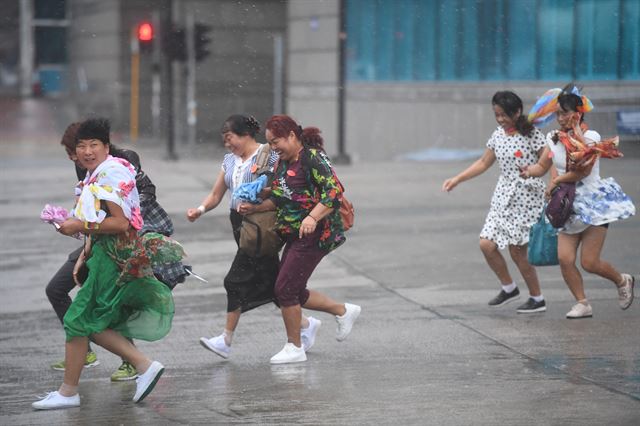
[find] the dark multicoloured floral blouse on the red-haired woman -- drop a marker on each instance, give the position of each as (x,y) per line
(298,186)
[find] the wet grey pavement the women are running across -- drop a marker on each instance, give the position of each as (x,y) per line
(426,349)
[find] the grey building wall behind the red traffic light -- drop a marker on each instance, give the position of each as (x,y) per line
(236,78)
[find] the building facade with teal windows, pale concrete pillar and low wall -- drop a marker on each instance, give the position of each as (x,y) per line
(421,73)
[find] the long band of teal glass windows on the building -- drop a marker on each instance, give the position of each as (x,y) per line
(475,40)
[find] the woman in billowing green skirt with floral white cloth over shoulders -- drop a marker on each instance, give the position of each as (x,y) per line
(119,298)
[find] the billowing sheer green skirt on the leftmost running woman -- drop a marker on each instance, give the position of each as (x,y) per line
(140,308)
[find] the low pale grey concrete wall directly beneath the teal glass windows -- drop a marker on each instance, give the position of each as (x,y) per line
(385,121)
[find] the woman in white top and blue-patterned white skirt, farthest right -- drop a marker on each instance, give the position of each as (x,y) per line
(597,203)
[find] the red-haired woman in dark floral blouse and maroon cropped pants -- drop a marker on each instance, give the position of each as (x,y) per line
(306,194)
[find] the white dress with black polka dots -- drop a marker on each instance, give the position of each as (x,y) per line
(516,203)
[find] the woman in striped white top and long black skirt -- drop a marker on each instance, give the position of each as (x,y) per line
(250,281)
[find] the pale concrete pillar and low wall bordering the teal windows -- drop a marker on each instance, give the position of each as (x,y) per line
(388,120)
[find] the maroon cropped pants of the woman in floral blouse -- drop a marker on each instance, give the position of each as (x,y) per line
(299,259)
